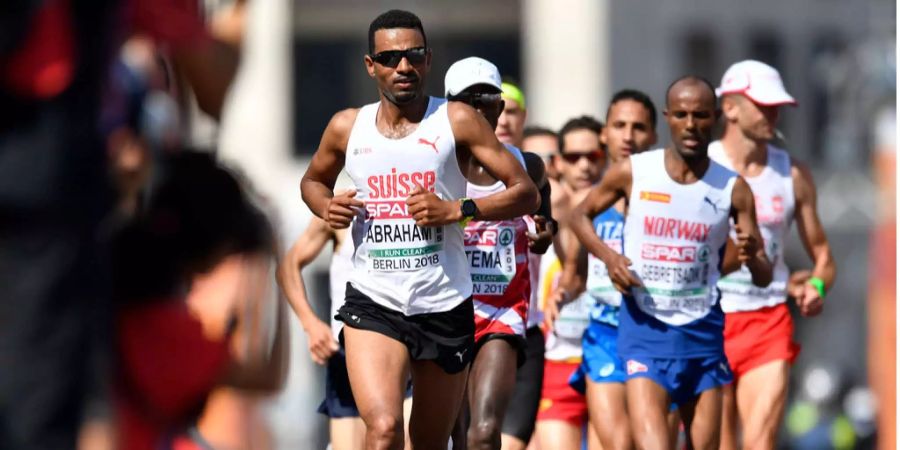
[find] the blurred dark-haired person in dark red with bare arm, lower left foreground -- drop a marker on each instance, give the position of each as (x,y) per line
(192,315)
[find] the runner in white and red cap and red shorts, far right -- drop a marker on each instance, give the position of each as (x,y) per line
(758,326)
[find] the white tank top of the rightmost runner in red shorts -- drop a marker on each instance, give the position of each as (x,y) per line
(773,191)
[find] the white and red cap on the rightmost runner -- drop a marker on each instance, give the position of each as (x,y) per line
(757,81)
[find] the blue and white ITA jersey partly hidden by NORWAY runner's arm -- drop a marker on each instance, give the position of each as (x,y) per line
(608,225)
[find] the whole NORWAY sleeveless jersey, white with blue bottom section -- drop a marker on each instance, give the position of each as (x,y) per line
(675,236)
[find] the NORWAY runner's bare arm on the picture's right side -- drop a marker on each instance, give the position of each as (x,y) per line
(750,249)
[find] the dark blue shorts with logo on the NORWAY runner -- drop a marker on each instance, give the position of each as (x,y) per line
(683,378)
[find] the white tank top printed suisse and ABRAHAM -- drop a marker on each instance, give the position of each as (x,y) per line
(400,266)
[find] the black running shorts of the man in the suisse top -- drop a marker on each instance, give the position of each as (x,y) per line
(447,338)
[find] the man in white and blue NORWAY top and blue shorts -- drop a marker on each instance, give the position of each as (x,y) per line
(675,235)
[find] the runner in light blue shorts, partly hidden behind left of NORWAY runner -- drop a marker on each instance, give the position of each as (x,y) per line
(630,129)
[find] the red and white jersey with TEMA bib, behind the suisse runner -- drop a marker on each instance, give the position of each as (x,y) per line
(498,261)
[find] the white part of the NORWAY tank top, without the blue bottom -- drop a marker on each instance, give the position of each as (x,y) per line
(675,235)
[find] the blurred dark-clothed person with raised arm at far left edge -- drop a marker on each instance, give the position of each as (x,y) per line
(54,57)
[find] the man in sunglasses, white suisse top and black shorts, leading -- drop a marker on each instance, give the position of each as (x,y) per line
(408,306)
